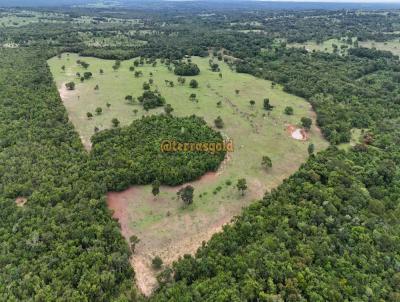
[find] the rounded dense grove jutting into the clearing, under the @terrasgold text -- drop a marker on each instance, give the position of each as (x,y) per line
(132,155)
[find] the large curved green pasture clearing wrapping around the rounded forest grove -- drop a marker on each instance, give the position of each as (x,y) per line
(164,226)
